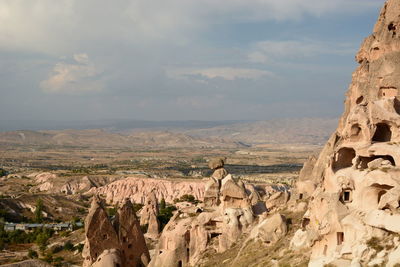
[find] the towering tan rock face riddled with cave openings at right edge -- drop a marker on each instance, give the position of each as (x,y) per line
(354,184)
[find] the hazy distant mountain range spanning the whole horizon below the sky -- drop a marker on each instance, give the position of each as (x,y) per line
(179,134)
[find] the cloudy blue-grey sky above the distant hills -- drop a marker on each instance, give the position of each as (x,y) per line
(178,59)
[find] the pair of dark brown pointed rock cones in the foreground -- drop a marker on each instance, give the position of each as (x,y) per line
(119,244)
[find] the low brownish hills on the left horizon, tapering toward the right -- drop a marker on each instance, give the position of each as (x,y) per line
(102,138)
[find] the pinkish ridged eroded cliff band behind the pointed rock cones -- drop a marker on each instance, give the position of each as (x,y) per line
(136,189)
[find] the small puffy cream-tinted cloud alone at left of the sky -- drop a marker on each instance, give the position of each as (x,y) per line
(77,77)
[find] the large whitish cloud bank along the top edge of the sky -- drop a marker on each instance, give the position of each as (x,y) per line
(57,27)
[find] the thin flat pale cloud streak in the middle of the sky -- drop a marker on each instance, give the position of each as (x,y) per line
(226,73)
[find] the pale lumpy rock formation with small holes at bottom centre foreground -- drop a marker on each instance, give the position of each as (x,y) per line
(214,226)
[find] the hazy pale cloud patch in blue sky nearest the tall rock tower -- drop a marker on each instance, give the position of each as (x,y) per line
(271,50)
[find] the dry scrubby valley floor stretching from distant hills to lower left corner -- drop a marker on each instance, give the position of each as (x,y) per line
(40,165)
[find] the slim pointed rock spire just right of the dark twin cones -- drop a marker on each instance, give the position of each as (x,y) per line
(148,216)
